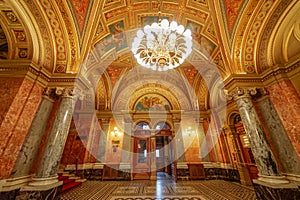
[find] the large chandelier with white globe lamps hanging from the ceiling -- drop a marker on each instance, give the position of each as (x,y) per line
(162,46)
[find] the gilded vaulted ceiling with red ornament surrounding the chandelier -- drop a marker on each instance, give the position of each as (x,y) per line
(233,36)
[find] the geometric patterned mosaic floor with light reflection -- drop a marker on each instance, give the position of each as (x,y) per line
(160,190)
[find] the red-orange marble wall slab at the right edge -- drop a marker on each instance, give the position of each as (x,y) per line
(287,104)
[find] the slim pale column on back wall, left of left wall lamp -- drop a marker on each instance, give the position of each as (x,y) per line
(103,141)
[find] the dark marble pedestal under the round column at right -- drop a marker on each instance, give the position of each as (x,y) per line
(268,191)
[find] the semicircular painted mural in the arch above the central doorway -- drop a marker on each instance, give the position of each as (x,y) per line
(152,103)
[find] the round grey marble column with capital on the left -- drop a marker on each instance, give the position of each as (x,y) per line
(48,167)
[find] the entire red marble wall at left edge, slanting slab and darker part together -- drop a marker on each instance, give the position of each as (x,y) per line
(19,104)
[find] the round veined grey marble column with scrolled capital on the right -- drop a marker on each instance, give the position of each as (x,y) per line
(265,161)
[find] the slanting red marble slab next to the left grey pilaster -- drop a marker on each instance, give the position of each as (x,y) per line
(16,124)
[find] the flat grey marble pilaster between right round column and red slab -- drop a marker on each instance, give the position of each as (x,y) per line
(285,151)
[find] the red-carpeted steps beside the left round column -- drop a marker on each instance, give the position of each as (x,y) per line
(69,181)
